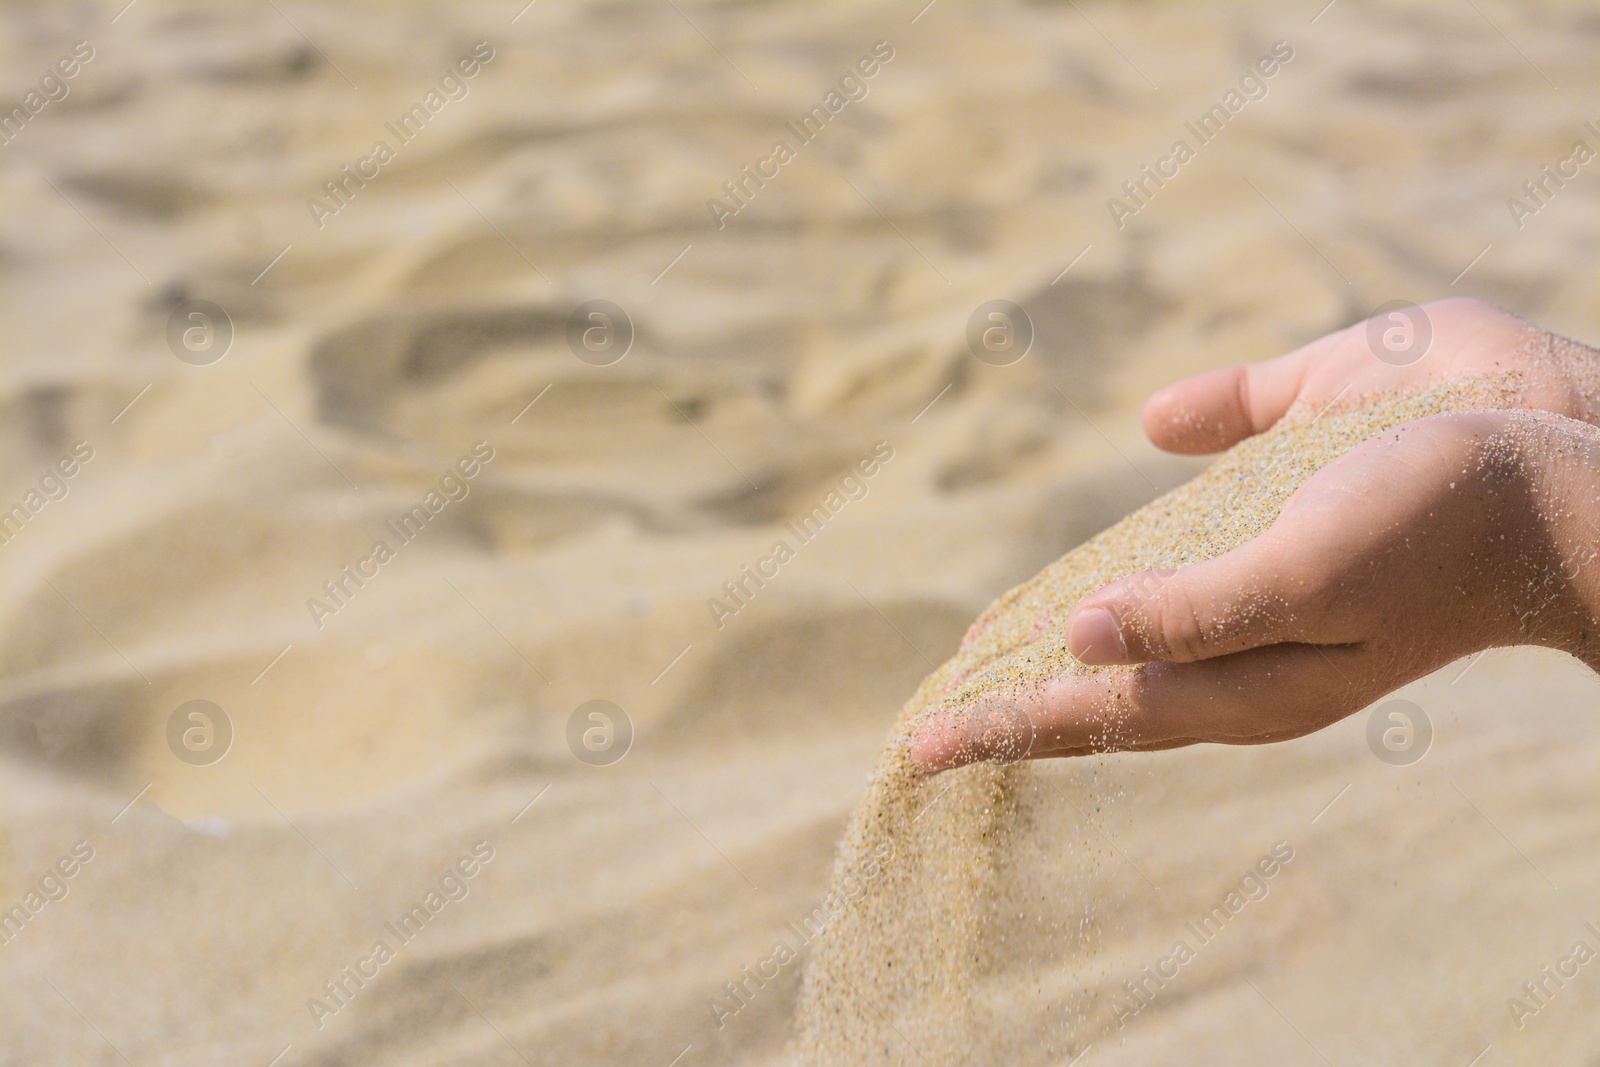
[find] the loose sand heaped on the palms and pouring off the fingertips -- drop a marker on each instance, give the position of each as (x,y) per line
(943,882)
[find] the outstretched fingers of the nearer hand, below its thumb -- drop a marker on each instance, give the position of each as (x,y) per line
(1249,698)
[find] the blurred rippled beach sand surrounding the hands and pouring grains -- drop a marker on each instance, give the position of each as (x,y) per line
(770,356)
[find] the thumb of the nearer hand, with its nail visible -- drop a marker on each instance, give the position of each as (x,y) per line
(1226,605)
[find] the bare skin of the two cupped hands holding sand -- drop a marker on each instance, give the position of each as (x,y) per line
(1425,545)
